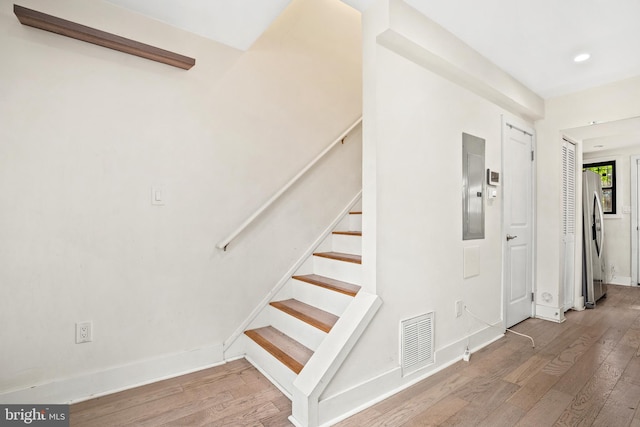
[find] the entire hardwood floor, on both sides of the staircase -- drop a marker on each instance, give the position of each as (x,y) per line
(585,371)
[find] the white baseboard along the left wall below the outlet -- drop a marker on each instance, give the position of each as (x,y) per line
(113,380)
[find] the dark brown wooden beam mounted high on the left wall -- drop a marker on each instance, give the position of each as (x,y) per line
(56,25)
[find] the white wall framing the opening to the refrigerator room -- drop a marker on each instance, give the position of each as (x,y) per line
(615,101)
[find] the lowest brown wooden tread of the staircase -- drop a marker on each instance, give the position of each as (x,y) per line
(284,348)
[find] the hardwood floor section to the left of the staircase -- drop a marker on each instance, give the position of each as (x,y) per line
(234,394)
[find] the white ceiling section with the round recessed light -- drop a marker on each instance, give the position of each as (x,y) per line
(536,40)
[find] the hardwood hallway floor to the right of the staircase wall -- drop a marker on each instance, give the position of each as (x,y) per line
(585,371)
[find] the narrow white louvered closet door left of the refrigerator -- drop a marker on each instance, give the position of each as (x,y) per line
(568,221)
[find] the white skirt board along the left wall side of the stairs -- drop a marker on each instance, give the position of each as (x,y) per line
(234,347)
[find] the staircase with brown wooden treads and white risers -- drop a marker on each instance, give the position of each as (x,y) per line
(287,333)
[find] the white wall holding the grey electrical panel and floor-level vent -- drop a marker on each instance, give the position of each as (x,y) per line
(414,120)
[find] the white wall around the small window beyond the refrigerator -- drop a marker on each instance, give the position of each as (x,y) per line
(618,227)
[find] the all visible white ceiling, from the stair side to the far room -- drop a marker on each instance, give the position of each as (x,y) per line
(533,40)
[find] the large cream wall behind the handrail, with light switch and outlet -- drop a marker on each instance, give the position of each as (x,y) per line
(86,131)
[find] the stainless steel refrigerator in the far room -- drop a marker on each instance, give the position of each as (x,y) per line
(593,267)
